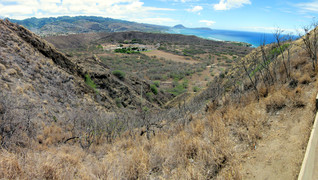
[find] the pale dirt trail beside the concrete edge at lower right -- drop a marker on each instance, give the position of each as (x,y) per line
(279,154)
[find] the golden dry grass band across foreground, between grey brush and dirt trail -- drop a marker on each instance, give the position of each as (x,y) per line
(203,149)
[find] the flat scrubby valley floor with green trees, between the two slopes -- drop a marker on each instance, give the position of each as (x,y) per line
(186,63)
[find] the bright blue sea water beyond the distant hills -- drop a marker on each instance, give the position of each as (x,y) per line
(253,38)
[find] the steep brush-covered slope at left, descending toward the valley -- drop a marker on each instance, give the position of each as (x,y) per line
(38,85)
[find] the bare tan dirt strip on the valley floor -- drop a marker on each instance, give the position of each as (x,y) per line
(169,56)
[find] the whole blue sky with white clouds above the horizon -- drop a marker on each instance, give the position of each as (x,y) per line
(242,15)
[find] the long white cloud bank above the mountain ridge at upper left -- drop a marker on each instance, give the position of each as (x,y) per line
(121,9)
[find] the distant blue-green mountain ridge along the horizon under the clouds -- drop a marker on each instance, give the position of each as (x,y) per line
(83,24)
